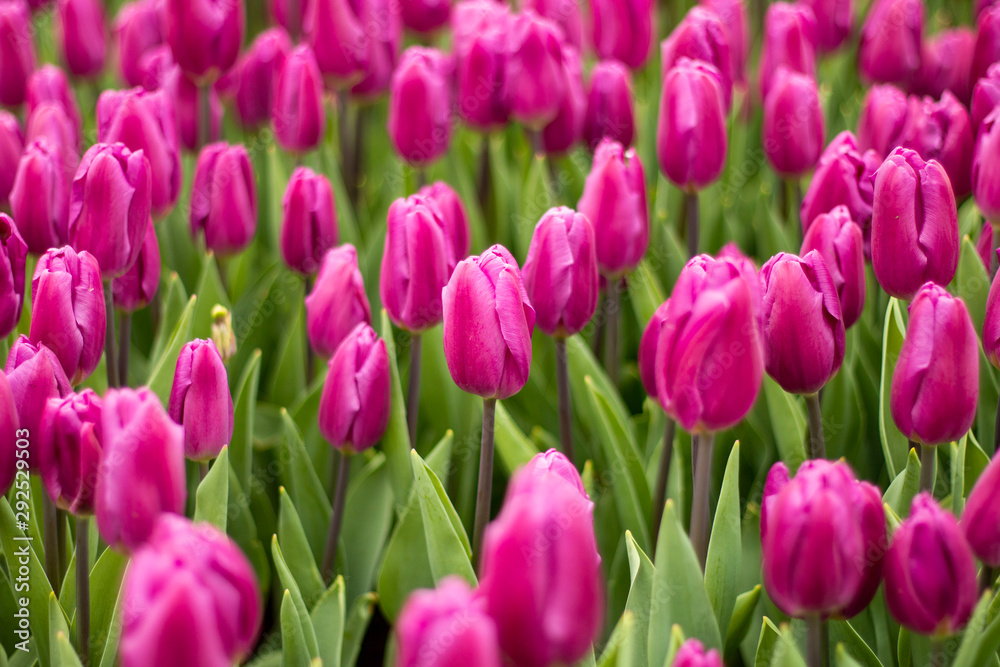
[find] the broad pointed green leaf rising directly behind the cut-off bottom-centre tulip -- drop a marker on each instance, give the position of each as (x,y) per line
(428,544)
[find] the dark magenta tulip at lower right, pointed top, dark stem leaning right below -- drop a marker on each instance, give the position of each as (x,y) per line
(930,574)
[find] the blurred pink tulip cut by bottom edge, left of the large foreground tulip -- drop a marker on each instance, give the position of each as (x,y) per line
(446,627)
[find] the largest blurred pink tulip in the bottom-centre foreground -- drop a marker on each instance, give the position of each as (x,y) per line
(541,573)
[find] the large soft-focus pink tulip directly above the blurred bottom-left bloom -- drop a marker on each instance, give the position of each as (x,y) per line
(142,469)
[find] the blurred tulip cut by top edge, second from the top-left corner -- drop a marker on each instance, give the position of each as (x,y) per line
(82,36)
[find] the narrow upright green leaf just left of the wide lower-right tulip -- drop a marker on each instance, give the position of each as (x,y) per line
(723,564)
